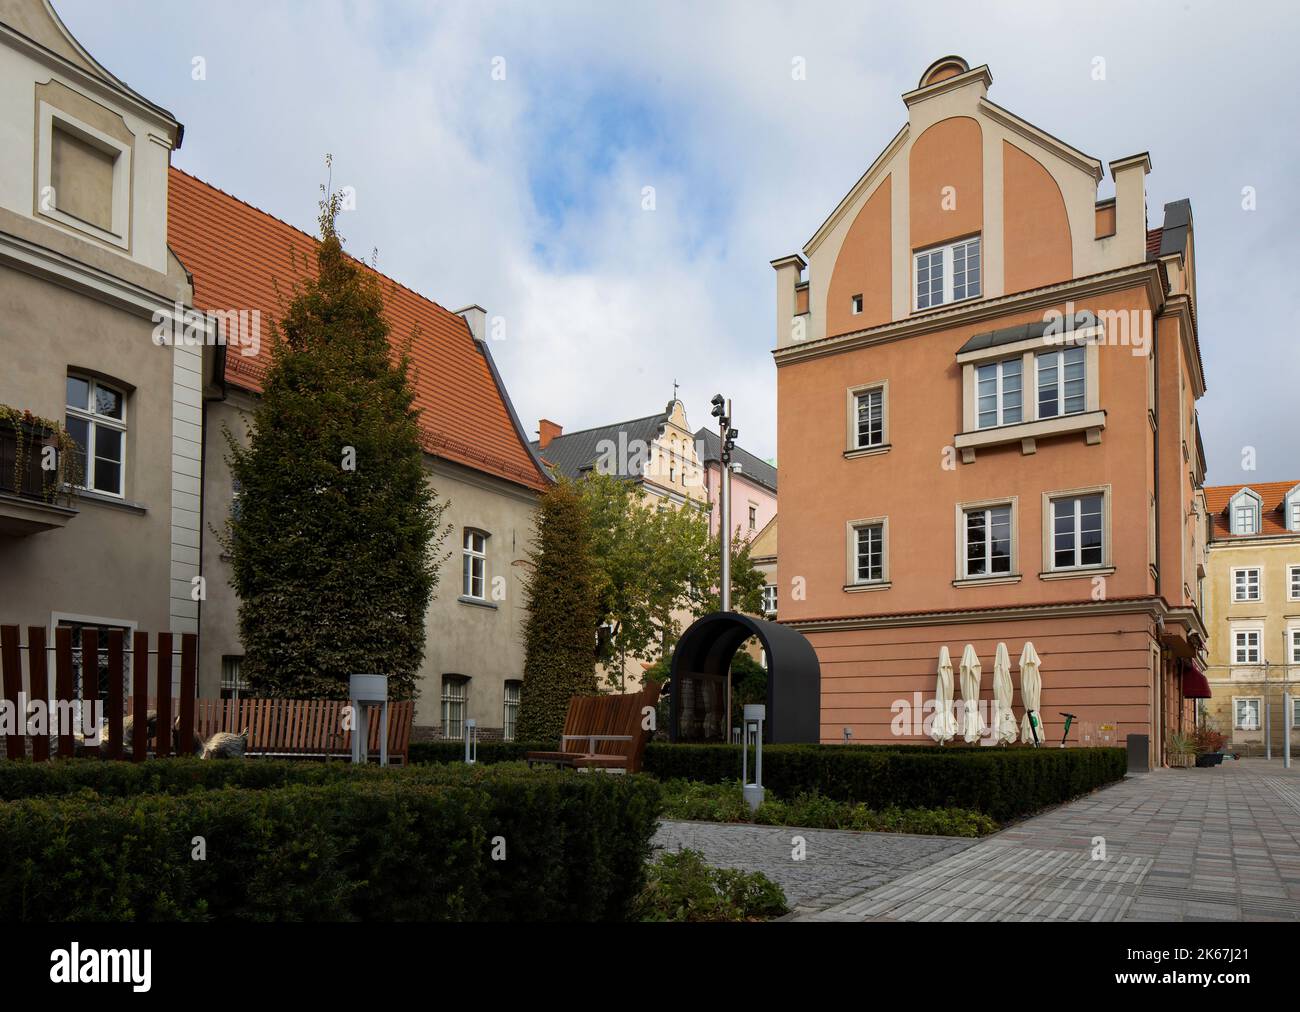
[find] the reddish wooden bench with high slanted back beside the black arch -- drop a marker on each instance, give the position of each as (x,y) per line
(605,733)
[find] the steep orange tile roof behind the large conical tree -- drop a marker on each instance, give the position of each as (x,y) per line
(239,256)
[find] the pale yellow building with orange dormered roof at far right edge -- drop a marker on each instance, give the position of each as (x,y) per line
(1254,613)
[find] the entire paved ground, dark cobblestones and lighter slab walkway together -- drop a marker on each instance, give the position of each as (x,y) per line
(1220,844)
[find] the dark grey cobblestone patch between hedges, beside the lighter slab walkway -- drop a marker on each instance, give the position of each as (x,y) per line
(838,867)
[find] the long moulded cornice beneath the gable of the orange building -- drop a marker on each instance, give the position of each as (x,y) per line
(1046,297)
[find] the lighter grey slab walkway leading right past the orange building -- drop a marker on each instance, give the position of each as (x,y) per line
(1202,845)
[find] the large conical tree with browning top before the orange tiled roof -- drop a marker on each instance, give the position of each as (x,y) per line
(335,538)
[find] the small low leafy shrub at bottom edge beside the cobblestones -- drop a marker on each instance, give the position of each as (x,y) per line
(682,888)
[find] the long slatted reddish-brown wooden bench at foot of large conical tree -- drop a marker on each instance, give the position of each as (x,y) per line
(301,729)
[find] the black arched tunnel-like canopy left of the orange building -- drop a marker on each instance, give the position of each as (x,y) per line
(701,674)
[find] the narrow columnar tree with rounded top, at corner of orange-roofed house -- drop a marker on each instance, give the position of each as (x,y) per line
(561,593)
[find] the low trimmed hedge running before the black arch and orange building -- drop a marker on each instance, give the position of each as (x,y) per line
(1004,784)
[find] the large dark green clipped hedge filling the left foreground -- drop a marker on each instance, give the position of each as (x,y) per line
(382,846)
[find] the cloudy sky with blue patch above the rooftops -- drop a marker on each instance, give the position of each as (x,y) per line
(501,154)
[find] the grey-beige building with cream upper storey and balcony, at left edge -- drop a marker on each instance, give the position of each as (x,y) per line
(86,280)
